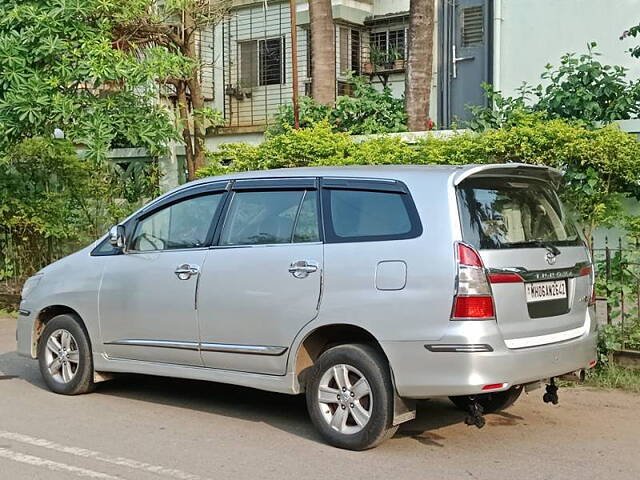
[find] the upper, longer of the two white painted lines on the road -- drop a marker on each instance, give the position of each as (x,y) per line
(82,452)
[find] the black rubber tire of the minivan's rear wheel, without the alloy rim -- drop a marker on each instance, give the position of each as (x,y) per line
(375,368)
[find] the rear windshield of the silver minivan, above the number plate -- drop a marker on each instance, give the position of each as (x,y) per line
(513,213)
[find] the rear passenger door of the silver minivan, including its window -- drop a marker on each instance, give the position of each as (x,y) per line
(261,282)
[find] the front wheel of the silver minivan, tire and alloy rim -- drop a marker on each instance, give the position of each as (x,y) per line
(64,356)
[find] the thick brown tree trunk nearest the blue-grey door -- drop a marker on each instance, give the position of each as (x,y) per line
(419,64)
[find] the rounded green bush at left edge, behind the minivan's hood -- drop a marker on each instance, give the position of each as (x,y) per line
(44,194)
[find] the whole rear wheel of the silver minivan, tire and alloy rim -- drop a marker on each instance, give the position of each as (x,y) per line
(350,397)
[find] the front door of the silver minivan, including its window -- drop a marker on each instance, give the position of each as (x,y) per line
(147,297)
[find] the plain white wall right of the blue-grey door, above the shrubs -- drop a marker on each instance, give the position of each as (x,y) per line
(536,32)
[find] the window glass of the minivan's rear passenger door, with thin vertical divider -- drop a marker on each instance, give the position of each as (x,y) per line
(271,217)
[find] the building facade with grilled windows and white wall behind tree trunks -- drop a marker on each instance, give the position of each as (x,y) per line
(501,42)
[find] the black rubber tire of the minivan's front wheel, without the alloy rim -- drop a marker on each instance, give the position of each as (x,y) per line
(82,379)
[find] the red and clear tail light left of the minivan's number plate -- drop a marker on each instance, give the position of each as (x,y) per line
(473,300)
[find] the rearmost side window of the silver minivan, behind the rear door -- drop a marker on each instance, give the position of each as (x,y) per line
(363,215)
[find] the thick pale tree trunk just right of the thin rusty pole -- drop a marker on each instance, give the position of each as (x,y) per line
(323,50)
